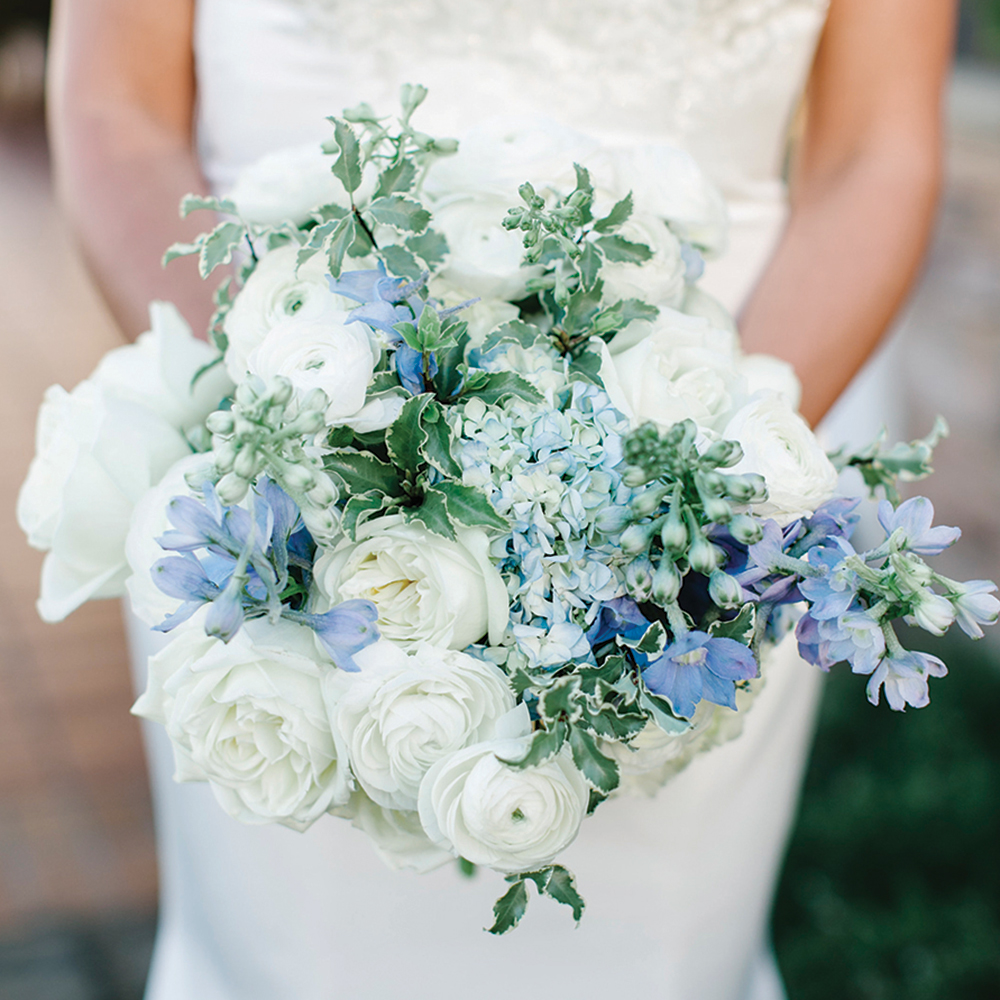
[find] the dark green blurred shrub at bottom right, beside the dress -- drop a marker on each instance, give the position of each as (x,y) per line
(891,889)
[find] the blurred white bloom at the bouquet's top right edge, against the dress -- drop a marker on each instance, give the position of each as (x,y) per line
(666,182)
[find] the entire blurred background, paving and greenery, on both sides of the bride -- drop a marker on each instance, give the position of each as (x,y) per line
(891,888)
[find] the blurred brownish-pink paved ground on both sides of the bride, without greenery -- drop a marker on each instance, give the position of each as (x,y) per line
(76,848)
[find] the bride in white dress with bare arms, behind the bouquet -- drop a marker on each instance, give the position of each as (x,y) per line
(679,887)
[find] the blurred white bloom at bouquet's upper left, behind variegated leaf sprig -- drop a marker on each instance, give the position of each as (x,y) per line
(285,186)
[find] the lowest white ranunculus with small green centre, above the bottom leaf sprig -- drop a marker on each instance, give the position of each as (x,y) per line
(507,818)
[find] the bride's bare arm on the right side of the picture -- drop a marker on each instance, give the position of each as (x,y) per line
(863,192)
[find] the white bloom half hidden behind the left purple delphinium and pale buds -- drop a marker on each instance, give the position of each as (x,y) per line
(149,521)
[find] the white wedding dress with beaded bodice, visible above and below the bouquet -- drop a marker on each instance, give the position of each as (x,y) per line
(678,887)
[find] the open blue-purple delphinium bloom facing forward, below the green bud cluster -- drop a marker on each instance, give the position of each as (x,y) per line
(697,666)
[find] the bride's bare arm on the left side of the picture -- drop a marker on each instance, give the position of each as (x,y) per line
(121,109)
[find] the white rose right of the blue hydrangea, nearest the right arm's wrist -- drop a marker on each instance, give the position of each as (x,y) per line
(676,367)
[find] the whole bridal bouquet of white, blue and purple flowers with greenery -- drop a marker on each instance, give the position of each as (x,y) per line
(474,514)
